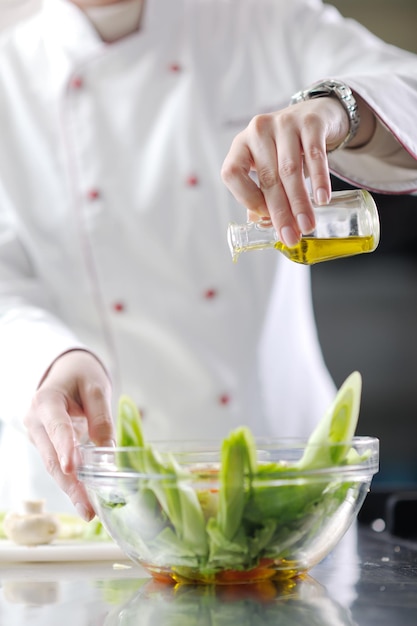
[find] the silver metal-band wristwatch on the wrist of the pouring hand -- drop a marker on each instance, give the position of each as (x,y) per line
(341,91)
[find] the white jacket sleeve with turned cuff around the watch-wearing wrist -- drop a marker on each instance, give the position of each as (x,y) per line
(328,45)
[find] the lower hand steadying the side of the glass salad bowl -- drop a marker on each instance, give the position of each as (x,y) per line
(72,401)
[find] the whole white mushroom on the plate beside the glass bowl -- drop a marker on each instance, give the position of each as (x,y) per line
(31,527)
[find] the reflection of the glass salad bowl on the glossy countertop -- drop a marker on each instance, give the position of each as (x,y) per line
(301,601)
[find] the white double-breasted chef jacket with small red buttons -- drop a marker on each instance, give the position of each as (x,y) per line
(113,216)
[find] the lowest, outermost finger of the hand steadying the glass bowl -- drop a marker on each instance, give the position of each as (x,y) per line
(67,482)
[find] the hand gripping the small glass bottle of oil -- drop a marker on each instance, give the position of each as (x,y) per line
(282,147)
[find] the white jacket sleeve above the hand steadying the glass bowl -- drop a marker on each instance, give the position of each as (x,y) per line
(31,337)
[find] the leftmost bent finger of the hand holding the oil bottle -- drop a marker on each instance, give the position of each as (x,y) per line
(235,174)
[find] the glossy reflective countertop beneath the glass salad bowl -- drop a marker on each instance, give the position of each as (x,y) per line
(369,580)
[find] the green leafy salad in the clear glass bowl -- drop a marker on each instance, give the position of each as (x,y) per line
(243,517)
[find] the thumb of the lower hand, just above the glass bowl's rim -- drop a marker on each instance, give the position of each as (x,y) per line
(95,400)
